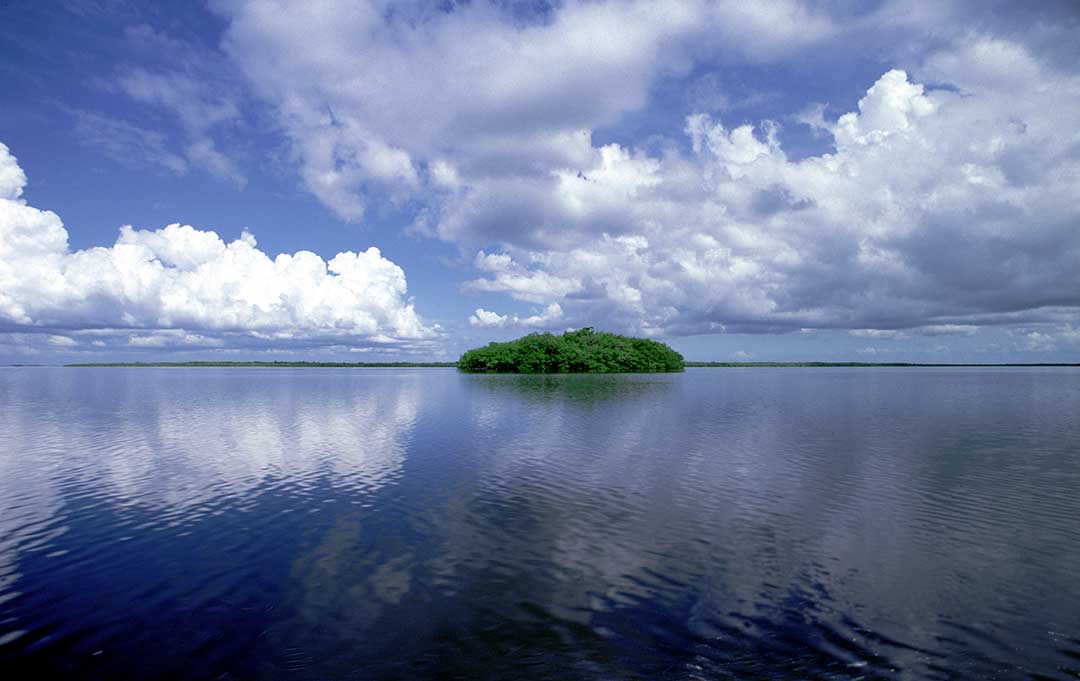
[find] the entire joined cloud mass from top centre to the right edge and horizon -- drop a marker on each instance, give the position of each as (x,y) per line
(946,202)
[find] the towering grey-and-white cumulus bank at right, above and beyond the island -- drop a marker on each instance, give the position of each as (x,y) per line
(939,209)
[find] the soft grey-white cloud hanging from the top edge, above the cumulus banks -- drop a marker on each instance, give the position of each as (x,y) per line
(386,92)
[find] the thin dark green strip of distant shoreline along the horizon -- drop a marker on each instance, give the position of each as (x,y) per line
(447,365)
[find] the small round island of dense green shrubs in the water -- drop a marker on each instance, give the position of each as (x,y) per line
(584,351)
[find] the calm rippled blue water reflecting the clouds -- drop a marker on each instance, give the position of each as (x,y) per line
(384,524)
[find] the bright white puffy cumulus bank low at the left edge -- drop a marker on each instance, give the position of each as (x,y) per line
(190,287)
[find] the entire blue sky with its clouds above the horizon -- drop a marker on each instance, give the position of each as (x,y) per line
(876,182)
